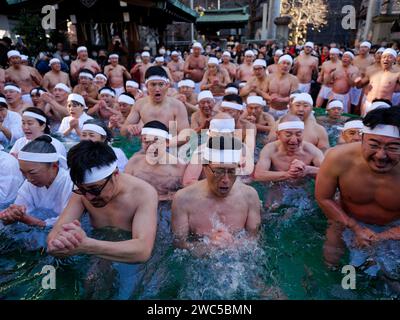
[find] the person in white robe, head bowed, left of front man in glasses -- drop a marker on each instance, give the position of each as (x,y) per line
(47,186)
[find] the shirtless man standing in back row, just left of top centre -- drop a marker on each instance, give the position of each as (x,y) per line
(195,65)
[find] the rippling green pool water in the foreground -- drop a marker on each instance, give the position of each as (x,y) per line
(285,263)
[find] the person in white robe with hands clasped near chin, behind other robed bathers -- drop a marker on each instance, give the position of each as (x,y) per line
(71,125)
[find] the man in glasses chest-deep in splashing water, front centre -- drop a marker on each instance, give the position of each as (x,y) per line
(195,208)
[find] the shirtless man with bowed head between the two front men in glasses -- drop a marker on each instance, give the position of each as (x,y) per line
(154,164)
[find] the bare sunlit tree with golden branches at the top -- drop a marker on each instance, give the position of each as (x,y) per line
(304,13)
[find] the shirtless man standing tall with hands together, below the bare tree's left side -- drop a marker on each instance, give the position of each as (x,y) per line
(280,86)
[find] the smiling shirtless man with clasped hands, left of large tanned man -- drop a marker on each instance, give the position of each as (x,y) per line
(289,158)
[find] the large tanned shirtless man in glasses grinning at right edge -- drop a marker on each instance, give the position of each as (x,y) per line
(367,175)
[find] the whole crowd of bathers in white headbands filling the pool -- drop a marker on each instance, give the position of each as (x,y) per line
(199,116)
